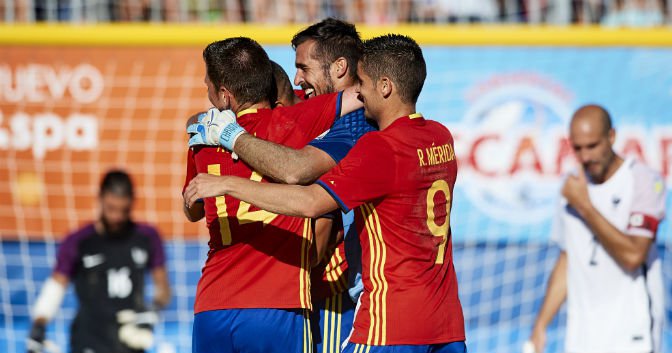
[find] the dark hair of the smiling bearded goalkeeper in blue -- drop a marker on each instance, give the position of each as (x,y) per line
(333,39)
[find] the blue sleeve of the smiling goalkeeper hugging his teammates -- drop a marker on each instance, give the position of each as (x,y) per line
(343,135)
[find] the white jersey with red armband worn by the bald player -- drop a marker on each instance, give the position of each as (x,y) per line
(609,309)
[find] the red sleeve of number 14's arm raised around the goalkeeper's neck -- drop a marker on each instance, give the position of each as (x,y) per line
(302,122)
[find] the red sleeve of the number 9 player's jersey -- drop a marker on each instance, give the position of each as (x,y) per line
(357,178)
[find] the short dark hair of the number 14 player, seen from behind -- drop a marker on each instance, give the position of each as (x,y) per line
(242,66)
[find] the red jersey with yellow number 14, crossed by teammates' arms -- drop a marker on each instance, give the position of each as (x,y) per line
(258,259)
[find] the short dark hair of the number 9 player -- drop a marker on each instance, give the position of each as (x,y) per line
(399,58)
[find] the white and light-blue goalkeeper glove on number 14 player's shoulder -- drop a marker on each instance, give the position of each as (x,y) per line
(215,128)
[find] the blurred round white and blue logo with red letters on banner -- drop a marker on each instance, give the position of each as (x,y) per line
(512,147)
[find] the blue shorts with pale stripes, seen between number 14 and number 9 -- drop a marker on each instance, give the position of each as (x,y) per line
(331,322)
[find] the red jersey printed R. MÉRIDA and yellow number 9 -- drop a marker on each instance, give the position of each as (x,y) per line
(401,179)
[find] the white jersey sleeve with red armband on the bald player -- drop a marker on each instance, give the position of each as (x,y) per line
(648,204)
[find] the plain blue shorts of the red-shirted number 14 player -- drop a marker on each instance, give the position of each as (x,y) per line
(252,330)
